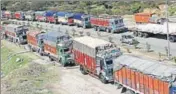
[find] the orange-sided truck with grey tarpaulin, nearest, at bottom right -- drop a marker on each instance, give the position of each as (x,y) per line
(138,75)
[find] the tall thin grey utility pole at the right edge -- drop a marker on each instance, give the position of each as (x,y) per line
(167,26)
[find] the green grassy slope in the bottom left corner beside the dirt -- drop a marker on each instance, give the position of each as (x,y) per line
(24,77)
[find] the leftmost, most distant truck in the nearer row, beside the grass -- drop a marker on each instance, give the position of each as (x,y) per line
(16,33)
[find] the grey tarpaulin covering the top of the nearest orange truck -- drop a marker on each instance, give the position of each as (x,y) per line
(153,68)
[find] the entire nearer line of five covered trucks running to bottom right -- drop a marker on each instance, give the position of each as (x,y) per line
(100,58)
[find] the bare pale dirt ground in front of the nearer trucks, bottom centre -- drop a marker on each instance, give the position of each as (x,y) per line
(73,82)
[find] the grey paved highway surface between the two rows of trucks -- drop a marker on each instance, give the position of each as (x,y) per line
(157,44)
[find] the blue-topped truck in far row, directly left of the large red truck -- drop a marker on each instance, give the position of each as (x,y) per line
(82,20)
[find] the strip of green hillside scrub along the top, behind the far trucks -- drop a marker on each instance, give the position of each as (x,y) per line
(92,7)
